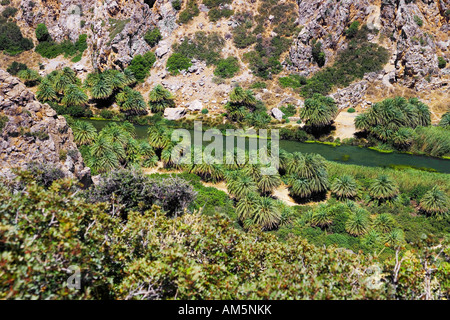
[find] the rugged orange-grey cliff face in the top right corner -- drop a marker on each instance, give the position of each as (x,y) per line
(415,33)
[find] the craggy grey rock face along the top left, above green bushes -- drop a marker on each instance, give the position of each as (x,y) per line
(115,28)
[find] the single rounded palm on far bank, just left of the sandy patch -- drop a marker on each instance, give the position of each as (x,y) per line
(319,111)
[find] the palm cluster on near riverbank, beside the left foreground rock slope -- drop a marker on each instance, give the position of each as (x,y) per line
(113,147)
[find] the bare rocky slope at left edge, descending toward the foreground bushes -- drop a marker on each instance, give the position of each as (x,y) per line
(33,132)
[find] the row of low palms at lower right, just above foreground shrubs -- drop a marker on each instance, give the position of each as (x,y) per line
(377,231)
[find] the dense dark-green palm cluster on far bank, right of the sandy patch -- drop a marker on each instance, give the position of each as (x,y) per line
(393,120)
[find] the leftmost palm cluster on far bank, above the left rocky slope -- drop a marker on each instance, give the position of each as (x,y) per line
(62,86)
